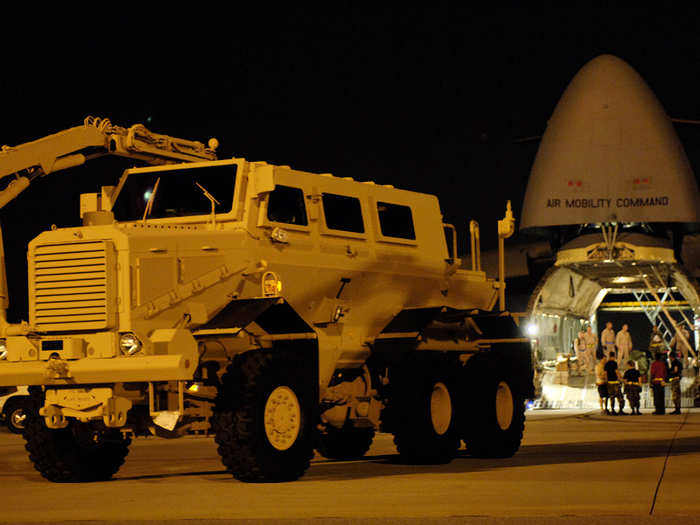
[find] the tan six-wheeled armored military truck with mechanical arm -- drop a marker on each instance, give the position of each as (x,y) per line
(283,310)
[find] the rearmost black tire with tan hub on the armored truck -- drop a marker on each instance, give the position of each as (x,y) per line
(492,412)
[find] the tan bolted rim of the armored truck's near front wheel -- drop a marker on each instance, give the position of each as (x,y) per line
(282,418)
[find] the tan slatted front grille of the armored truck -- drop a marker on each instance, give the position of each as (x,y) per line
(70,286)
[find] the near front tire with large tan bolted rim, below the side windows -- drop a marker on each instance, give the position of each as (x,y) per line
(264,418)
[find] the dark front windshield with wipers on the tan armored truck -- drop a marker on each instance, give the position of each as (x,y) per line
(178,194)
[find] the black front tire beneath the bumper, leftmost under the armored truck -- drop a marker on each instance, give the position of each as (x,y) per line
(79,452)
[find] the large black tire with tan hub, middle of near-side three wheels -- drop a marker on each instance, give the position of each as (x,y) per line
(422,403)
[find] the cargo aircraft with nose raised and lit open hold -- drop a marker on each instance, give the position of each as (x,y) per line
(615,205)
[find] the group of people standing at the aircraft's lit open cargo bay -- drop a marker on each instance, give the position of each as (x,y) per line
(616,347)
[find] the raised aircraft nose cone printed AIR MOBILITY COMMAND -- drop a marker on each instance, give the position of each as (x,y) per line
(609,154)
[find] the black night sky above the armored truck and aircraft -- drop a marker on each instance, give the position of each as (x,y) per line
(433,99)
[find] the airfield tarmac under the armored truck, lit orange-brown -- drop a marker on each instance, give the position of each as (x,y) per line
(573,467)
